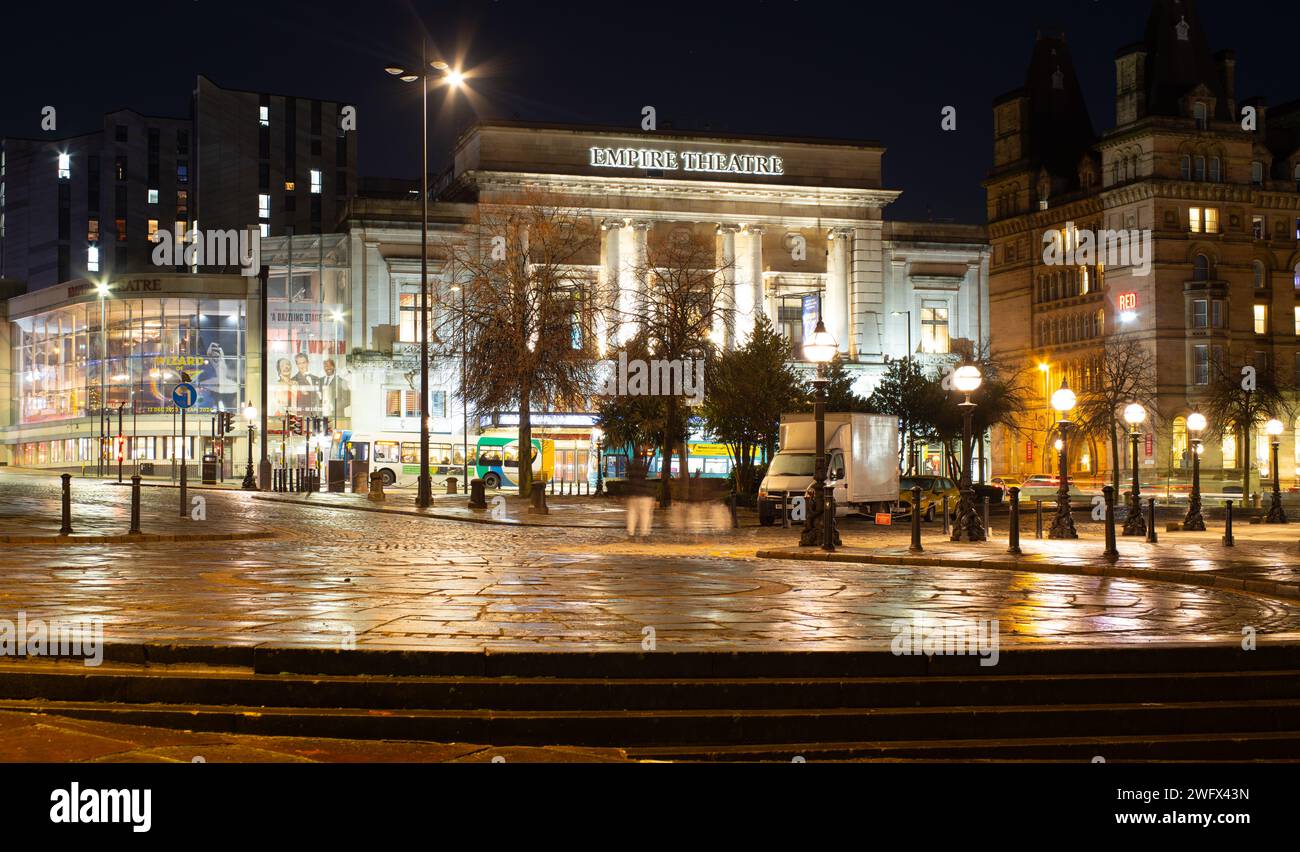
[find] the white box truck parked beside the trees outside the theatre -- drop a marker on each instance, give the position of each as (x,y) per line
(864,464)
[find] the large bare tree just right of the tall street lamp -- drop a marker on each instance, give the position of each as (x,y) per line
(528,313)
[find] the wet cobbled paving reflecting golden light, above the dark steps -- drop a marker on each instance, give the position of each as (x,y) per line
(398,582)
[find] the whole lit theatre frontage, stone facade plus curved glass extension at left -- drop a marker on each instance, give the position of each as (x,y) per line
(798,226)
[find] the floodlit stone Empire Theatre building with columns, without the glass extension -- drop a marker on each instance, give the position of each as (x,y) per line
(790,218)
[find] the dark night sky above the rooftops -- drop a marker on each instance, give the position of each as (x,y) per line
(852,70)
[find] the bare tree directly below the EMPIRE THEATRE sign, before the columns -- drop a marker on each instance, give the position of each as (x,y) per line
(683,309)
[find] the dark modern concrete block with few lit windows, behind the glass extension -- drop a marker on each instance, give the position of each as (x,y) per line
(89,206)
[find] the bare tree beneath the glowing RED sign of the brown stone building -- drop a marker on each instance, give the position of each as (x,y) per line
(1126,375)
